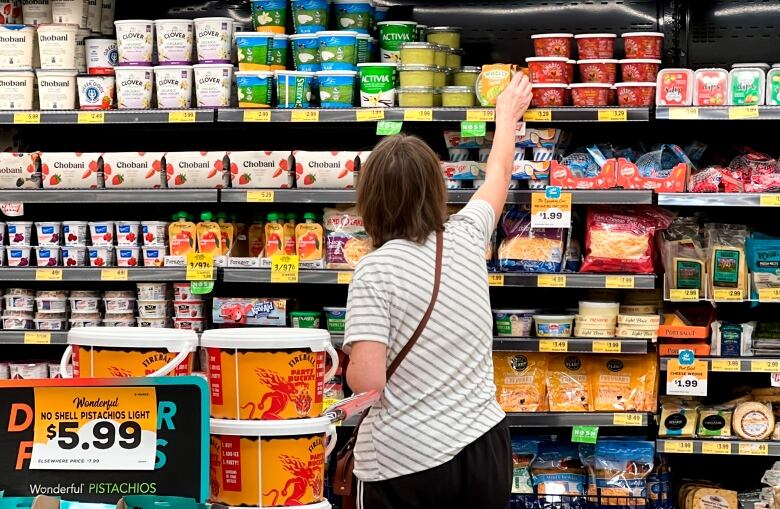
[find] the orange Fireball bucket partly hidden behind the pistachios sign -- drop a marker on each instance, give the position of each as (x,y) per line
(128,352)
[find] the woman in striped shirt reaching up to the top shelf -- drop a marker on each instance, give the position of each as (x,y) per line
(437,437)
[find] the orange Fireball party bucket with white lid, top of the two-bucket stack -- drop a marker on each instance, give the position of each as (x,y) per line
(269,373)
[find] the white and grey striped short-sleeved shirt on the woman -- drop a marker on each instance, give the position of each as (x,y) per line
(442,397)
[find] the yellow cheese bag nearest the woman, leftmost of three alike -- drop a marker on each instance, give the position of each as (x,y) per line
(520,381)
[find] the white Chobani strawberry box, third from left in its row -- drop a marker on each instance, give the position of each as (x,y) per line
(133,170)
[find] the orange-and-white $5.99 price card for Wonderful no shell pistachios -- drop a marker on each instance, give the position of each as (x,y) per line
(95,428)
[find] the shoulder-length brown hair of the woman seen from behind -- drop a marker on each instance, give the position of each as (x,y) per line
(401,192)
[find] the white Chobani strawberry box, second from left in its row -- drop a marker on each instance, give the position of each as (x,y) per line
(70,170)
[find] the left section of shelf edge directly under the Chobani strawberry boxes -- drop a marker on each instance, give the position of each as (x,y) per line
(111,196)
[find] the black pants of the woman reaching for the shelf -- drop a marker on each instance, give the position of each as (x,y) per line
(479,477)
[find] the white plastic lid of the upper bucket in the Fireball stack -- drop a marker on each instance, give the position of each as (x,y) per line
(266,339)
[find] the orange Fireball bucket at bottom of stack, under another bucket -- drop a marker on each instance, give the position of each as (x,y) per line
(270,464)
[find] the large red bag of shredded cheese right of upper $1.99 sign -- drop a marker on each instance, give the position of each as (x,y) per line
(621,239)
